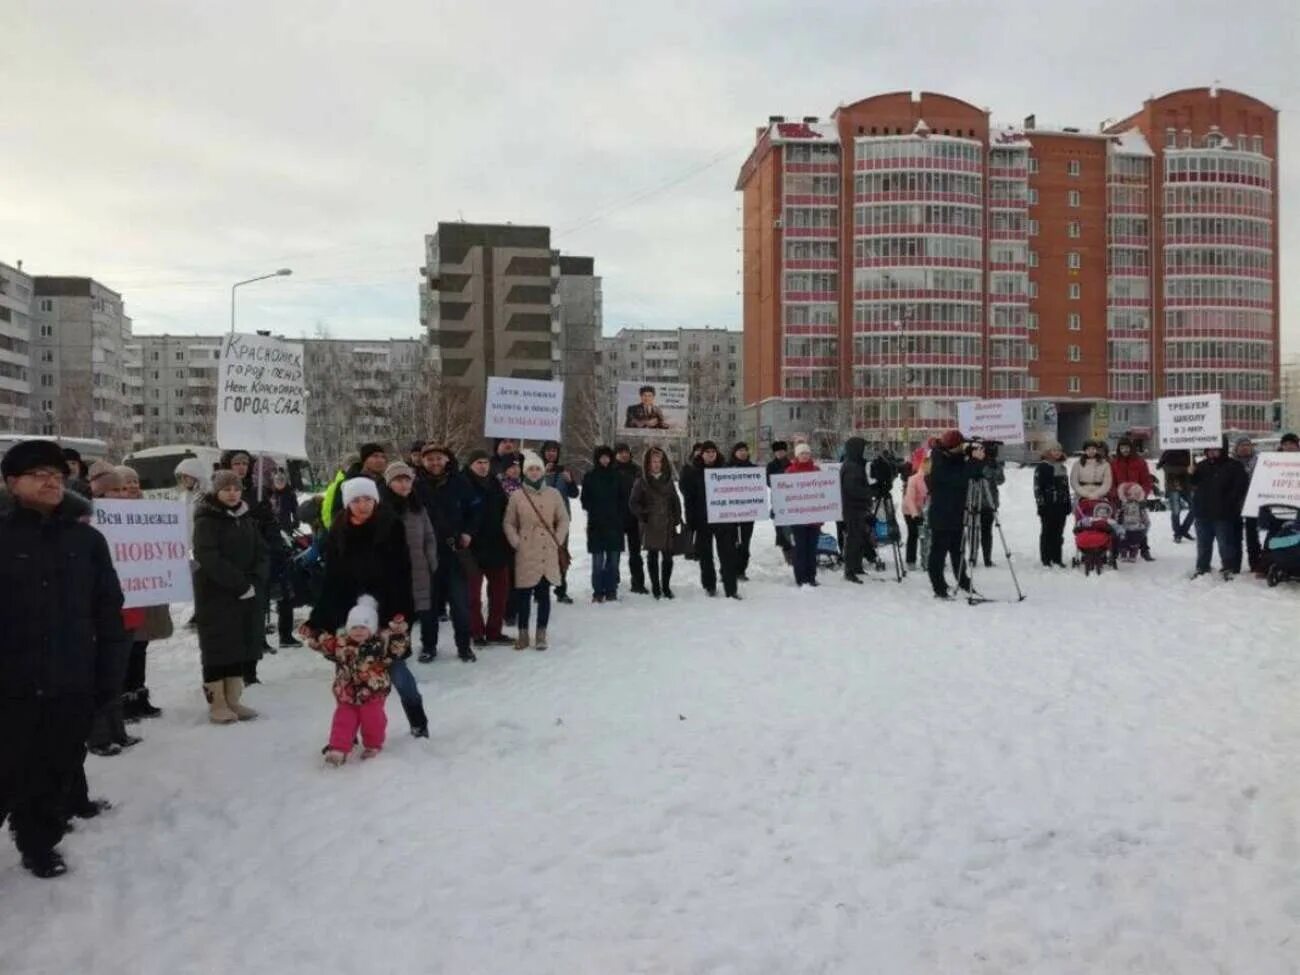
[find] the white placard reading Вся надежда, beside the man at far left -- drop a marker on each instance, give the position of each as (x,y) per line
(150,545)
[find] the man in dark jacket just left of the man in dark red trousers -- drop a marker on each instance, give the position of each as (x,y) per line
(447,500)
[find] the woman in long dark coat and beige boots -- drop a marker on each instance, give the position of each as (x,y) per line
(231,558)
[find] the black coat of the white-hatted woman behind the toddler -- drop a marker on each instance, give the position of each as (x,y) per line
(367,560)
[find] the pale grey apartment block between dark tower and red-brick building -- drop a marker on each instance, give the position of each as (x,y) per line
(709,361)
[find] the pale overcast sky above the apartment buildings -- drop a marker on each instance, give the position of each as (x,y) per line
(171,148)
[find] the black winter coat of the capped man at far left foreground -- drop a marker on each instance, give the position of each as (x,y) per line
(60,609)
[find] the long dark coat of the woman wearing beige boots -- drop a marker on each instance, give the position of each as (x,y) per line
(232,556)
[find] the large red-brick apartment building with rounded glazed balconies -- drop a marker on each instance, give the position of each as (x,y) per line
(908,254)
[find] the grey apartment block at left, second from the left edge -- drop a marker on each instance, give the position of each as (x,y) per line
(80,332)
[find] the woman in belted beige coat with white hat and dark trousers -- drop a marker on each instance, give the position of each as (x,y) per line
(536,527)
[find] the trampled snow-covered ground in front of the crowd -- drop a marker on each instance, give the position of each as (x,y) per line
(853,779)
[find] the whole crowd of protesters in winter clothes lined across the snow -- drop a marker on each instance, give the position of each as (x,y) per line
(478,543)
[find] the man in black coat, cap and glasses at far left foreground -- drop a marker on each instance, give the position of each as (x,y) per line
(63,652)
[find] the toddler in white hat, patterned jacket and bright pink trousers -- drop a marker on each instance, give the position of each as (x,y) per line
(362,657)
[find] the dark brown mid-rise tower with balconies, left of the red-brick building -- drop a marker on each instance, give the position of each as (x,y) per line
(499,301)
